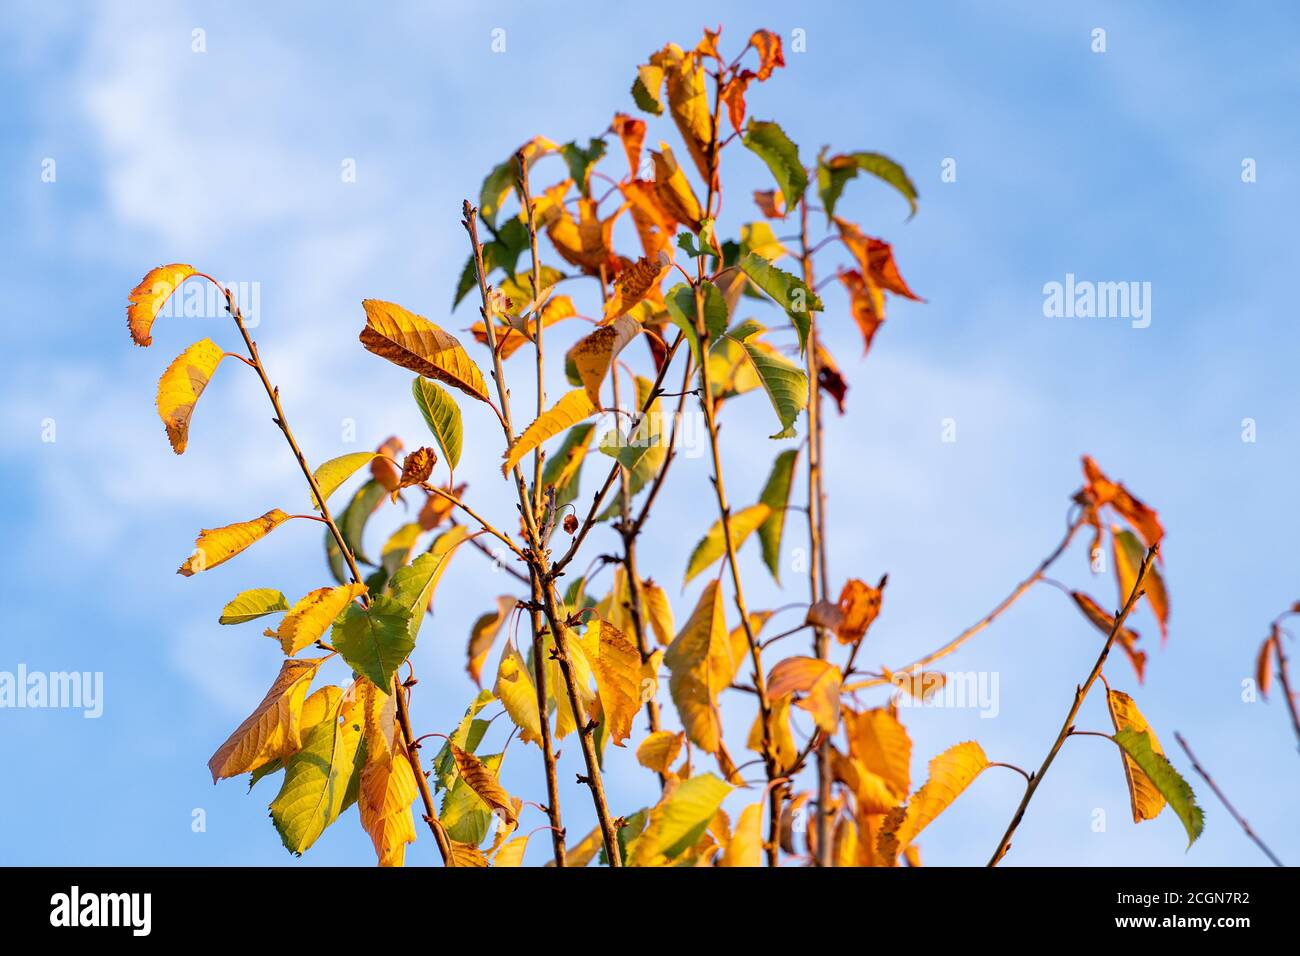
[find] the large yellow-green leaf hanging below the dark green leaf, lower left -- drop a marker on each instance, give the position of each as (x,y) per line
(318,781)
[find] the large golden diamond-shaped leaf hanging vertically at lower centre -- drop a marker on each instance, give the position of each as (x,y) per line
(700,663)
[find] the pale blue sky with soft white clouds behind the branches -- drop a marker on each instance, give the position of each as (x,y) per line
(1124,166)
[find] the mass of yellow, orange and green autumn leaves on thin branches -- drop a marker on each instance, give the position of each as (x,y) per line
(597,660)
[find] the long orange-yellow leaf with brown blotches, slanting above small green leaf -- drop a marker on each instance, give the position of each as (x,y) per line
(414,343)
